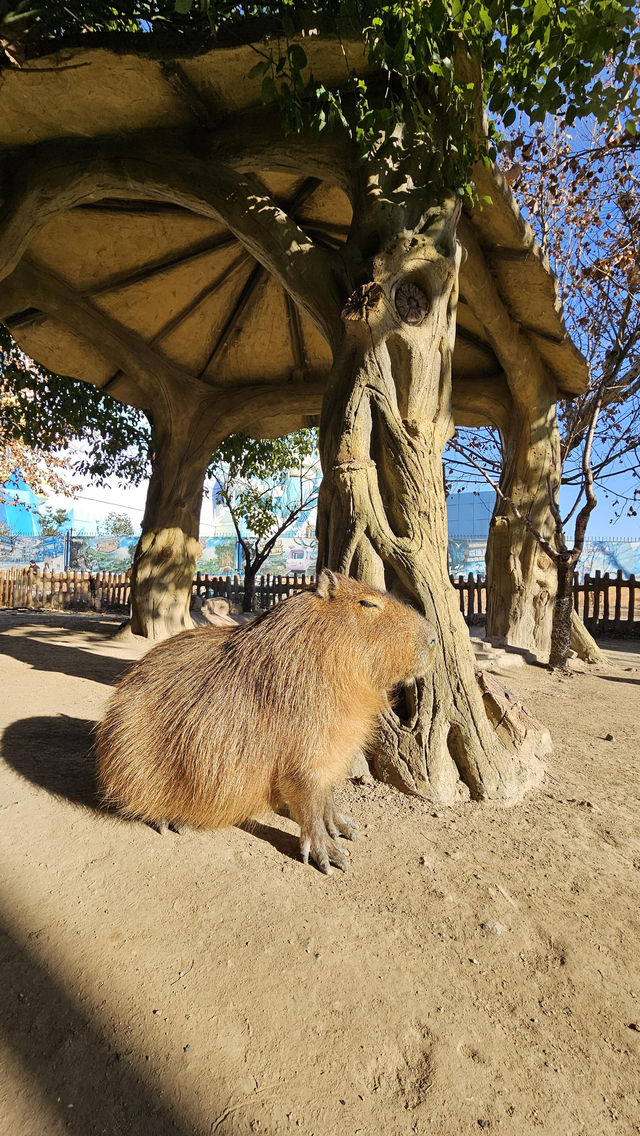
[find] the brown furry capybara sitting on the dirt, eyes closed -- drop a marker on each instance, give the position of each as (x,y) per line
(215,726)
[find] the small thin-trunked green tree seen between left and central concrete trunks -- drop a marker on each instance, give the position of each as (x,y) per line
(267,487)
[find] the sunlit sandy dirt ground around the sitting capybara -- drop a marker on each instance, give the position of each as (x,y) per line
(477,971)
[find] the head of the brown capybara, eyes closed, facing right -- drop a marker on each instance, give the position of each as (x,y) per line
(386,639)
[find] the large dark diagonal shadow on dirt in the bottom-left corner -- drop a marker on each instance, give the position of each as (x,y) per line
(87,1087)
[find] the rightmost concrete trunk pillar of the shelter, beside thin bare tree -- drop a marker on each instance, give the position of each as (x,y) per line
(522,579)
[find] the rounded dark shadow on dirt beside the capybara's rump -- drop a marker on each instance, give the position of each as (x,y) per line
(55,754)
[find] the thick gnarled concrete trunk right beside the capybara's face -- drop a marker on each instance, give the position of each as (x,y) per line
(383,513)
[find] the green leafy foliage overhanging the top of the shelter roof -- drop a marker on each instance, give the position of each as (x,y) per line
(538,57)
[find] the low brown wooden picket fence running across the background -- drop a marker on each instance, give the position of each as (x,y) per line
(609,605)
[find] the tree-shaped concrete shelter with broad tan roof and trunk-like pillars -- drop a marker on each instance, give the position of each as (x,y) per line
(162,239)
